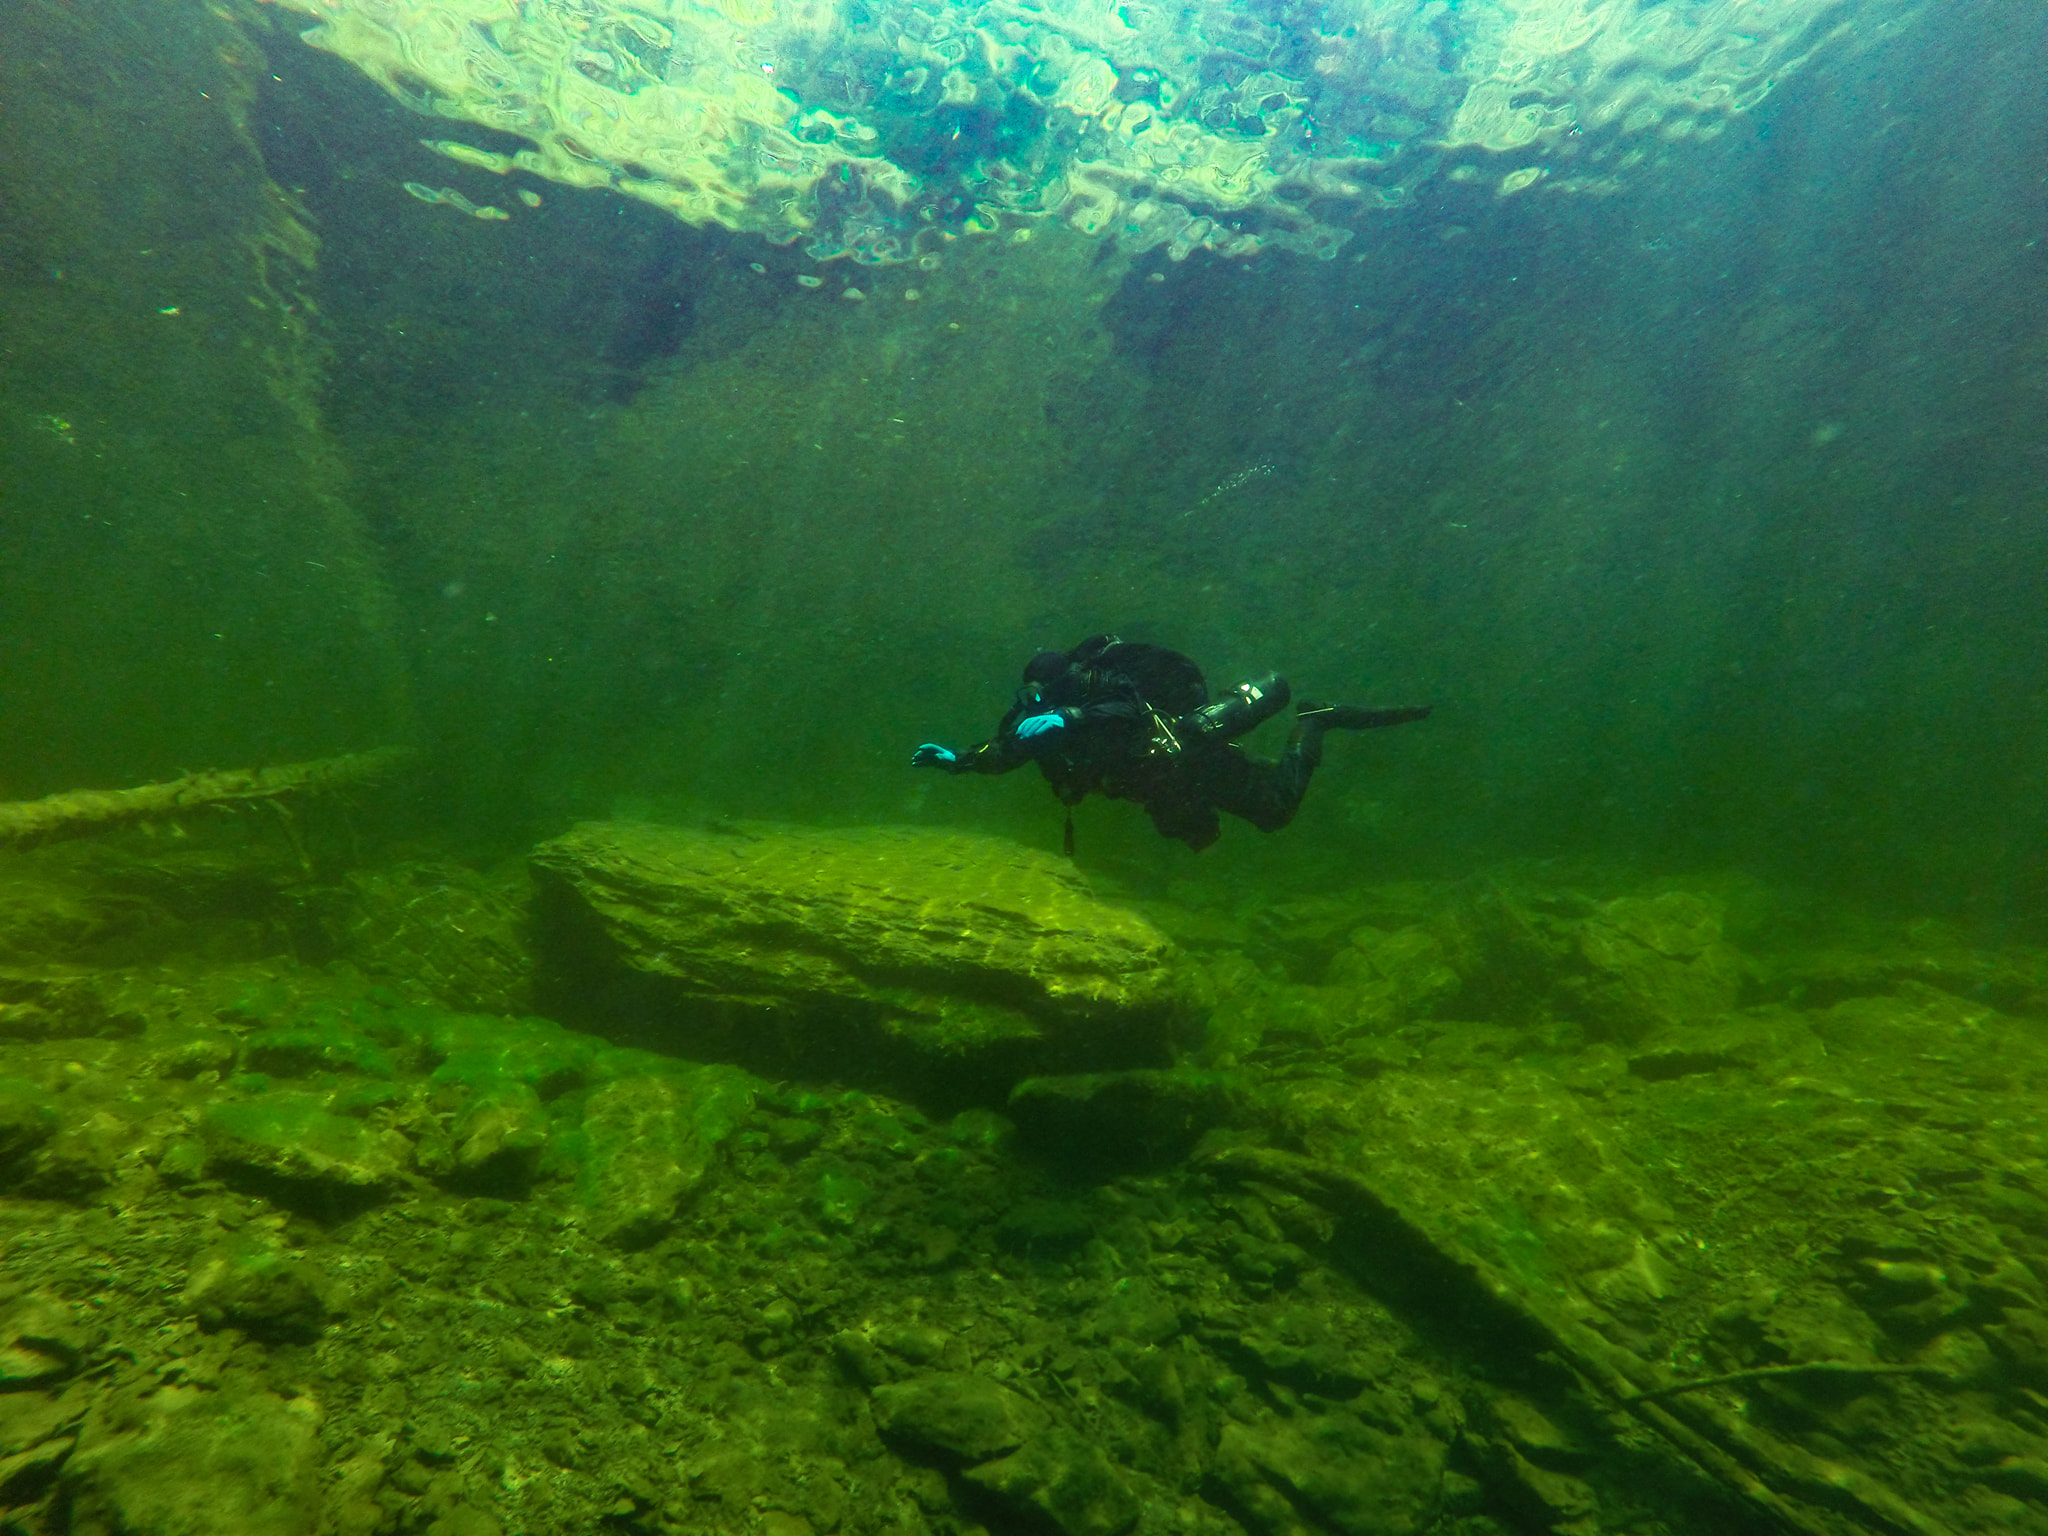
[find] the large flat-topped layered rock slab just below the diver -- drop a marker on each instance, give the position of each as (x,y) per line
(945,943)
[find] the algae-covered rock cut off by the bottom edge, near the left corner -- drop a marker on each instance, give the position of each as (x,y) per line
(196,1463)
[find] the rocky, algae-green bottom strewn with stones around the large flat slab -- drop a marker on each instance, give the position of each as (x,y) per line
(1453,1213)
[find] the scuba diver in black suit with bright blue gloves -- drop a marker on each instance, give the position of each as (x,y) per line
(1134,722)
